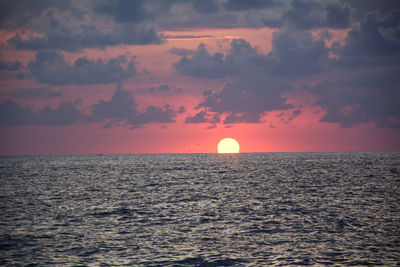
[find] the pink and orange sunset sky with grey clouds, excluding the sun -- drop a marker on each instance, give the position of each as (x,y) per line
(175,76)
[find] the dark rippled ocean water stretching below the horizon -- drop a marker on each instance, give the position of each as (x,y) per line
(201,209)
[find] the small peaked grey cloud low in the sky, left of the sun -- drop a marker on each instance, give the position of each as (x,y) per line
(123,109)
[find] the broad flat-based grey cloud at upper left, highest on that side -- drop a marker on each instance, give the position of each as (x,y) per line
(73,30)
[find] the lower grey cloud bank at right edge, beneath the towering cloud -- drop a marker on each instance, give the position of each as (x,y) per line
(372,97)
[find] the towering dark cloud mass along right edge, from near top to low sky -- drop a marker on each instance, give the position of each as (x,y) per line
(370,54)
